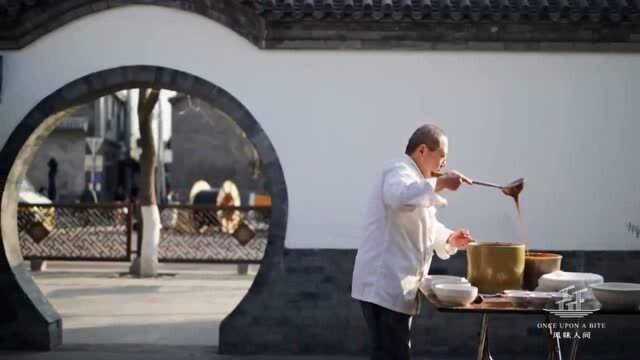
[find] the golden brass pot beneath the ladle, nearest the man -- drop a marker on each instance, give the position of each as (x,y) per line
(494,267)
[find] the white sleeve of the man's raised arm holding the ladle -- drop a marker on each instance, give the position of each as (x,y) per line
(401,189)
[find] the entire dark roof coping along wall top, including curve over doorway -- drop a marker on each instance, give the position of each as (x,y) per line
(554,25)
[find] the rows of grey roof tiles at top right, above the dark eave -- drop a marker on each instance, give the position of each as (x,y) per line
(454,10)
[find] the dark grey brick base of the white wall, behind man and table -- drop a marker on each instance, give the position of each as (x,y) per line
(306,308)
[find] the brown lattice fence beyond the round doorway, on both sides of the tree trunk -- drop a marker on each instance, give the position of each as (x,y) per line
(109,232)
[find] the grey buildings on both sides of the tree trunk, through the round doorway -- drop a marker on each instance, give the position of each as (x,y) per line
(110,125)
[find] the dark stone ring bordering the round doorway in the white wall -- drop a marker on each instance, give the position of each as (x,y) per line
(27,320)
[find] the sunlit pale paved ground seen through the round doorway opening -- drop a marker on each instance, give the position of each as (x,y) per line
(101,304)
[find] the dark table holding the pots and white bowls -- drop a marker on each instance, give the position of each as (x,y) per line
(501,305)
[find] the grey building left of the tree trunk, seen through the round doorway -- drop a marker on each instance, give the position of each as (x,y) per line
(104,124)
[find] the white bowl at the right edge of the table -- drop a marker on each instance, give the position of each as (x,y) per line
(617,296)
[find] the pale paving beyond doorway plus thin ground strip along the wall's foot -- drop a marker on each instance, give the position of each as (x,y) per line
(108,315)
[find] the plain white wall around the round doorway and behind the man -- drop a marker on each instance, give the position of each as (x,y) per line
(565,122)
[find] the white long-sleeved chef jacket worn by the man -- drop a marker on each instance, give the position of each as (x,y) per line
(401,233)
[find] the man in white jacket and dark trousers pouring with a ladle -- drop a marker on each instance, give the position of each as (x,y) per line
(401,234)
